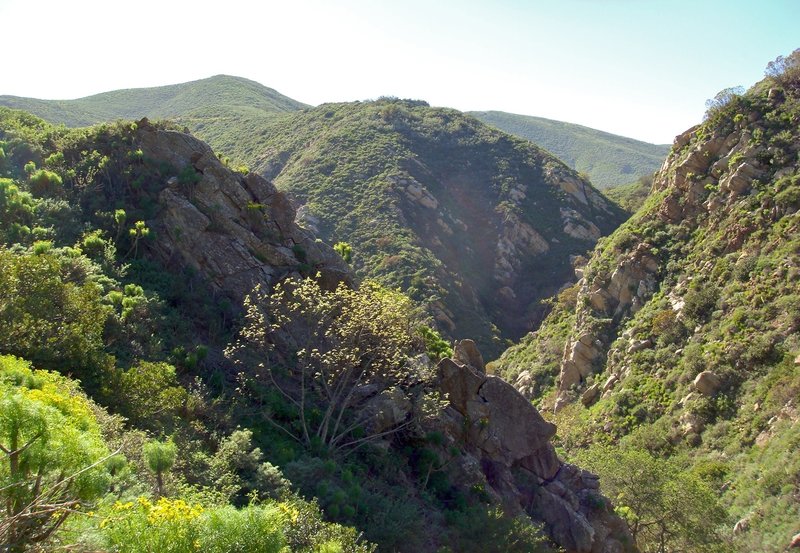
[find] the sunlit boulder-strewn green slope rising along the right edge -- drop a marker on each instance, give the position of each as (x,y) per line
(679,345)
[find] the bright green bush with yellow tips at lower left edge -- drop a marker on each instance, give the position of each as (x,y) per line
(51,453)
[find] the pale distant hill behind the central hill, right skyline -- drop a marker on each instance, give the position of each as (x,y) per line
(608,159)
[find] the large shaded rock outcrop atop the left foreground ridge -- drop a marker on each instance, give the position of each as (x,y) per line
(238,231)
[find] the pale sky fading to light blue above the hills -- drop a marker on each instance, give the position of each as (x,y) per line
(638,68)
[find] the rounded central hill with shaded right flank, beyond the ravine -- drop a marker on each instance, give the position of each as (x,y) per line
(468,219)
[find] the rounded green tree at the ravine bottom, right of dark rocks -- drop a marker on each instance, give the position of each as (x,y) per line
(666,508)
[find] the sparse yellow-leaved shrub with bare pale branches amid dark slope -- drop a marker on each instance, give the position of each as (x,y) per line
(328,349)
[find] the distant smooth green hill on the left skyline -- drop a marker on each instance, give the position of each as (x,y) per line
(228,112)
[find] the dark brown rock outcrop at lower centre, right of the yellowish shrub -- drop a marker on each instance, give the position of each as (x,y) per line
(508,449)
